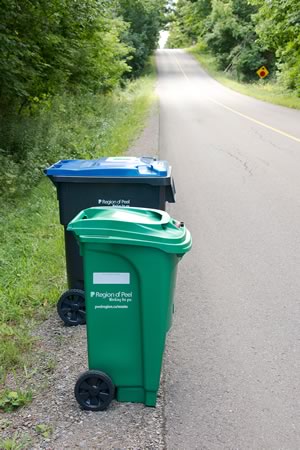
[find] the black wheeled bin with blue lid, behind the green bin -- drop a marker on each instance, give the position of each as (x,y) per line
(114,181)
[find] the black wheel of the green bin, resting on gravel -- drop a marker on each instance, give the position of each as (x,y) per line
(94,390)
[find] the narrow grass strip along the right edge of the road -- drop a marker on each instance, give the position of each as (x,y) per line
(262,89)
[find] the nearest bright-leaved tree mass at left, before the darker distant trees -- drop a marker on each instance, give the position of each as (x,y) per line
(62,43)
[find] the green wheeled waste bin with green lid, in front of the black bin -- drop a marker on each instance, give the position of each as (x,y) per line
(130,257)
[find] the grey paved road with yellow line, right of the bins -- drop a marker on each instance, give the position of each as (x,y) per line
(232,364)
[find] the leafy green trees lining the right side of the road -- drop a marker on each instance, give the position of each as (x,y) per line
(243,35)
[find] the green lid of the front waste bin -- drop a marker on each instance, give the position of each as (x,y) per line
(131,226)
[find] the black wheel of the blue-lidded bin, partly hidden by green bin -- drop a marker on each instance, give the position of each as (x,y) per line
(71,307)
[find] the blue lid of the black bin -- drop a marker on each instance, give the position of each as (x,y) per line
(124,166)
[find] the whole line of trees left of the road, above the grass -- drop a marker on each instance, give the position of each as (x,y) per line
(50,46)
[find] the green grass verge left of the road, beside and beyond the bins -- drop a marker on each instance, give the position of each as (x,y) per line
(32,263)
